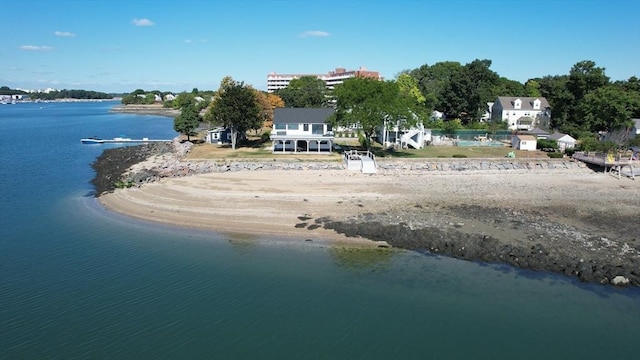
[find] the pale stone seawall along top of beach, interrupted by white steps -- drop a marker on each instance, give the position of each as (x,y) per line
(147,166)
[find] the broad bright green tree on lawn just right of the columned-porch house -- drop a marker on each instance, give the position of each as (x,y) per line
(370,104)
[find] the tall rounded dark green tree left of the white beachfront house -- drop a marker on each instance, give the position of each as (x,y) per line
(237,109)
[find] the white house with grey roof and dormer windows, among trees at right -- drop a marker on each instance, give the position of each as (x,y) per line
(522,113)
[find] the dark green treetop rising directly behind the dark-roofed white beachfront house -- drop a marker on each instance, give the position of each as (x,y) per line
(304,92)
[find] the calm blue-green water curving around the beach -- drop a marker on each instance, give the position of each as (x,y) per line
(77,282)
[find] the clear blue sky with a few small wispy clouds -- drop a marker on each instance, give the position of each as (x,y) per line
(123,45)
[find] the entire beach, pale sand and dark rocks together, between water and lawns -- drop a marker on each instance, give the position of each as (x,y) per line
(573,221)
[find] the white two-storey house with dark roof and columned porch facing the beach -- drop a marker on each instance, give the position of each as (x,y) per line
(302,130)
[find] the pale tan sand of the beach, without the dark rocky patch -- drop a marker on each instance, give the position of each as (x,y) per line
(280,202)
